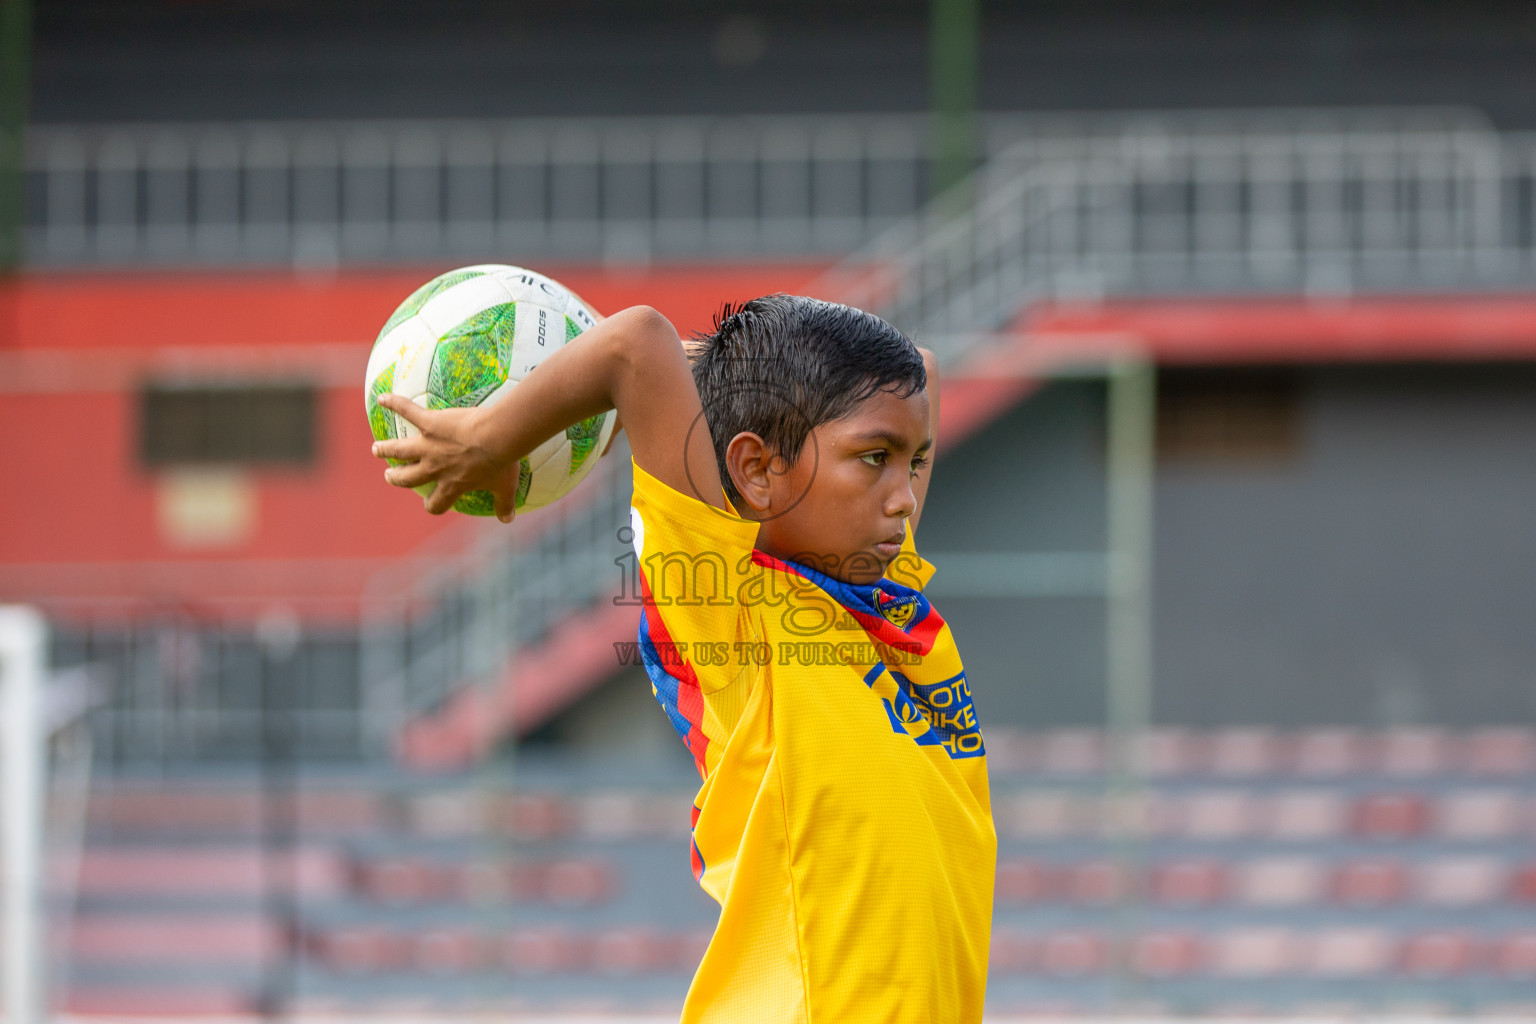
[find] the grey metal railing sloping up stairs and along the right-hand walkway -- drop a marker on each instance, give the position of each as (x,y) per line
(1314,213)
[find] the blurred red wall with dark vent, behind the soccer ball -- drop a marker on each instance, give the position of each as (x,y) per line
(79,526)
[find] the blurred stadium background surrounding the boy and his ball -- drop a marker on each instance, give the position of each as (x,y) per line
(1233,514)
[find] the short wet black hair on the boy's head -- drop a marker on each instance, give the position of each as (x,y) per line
(784,365)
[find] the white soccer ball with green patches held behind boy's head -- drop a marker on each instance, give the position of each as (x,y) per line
(468,339)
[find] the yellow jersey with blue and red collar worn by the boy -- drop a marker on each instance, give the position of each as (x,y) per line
(844,824)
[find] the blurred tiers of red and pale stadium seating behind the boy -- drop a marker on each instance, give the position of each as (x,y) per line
(1262,873)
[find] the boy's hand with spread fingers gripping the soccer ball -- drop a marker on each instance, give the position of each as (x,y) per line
(448,454)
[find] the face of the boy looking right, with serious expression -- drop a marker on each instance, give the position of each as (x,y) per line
(842,507)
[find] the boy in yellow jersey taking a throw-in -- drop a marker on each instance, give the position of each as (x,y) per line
(844,822)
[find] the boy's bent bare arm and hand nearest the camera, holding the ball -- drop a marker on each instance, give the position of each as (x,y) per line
(632,363)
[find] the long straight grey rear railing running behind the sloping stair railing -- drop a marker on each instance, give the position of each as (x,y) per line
(624,190)
